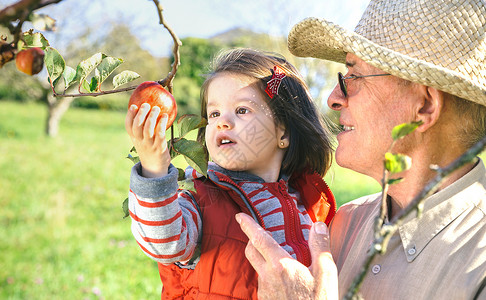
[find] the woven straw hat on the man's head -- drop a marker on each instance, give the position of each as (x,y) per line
(441,44)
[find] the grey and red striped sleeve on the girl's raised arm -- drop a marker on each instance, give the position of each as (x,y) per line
(165,221)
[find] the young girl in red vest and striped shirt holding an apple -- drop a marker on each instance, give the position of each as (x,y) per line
(269,152)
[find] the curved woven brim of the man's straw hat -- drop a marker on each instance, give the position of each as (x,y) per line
(322,39)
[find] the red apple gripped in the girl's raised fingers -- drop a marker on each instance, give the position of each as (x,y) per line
(153,93)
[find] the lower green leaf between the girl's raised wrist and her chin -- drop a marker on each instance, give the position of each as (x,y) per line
(194,154)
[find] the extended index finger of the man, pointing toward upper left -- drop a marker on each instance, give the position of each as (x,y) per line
(260,239)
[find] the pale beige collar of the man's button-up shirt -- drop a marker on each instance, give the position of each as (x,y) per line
(440,210)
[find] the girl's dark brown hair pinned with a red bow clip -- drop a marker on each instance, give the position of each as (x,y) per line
(310,143)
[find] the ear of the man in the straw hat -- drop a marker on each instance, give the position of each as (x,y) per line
(430,107)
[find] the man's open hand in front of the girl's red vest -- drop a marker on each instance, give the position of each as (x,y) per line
(282,277)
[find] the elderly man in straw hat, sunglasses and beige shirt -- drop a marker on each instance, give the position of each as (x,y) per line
(408,60)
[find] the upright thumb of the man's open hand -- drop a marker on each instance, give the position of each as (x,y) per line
(323,267)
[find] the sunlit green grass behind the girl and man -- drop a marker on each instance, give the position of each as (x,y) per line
(62,235)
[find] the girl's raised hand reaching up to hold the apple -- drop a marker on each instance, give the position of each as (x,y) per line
(148,137)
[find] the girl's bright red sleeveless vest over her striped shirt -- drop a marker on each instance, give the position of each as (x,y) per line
(223,272)
